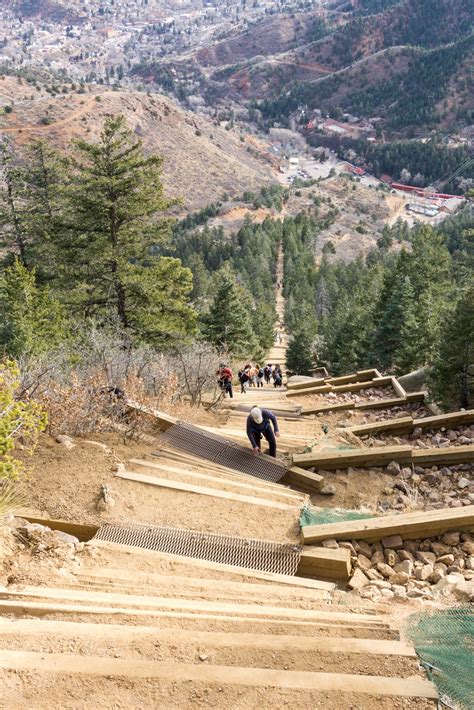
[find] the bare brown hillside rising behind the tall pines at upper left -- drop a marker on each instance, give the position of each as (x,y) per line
(201,160)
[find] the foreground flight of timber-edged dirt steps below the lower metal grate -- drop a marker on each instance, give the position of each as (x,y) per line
(141,629)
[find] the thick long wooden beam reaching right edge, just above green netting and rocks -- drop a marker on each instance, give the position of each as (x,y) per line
(408,525)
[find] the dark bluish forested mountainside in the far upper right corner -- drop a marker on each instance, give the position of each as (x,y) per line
(364,58)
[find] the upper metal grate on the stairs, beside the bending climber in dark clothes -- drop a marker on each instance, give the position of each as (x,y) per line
(213,447)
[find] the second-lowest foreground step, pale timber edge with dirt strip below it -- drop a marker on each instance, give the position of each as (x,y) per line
(367,657)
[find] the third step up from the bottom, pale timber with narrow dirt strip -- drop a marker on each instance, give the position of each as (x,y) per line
(193,622)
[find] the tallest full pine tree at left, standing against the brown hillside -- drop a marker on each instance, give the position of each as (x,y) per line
(113,208)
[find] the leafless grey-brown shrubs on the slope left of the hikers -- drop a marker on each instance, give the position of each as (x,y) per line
(85,387)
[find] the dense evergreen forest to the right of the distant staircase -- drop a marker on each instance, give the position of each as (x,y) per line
(408,304)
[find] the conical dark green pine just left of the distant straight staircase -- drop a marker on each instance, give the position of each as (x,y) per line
(228,324)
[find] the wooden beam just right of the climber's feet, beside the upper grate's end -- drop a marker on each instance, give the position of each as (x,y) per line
(374,456)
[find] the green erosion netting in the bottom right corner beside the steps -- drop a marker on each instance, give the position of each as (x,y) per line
(444,641)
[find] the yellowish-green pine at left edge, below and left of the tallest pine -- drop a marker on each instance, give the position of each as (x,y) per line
(31,320)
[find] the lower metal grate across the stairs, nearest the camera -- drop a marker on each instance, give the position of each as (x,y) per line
(250,553)
